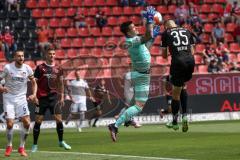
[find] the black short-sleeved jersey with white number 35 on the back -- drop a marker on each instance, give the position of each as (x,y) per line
(178,40)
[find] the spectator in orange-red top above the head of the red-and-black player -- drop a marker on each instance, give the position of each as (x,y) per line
(43,39)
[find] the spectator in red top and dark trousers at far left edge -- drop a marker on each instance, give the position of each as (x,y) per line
(8,41)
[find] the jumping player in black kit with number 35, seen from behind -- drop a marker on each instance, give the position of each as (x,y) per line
(179,42)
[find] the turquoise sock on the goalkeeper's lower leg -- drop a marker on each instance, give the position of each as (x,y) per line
(127,115)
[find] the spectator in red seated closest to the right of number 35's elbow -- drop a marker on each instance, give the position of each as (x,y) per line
(209,54)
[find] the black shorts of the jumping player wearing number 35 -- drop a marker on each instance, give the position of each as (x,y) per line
(181,70)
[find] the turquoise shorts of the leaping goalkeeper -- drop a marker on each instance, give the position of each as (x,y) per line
(141,82)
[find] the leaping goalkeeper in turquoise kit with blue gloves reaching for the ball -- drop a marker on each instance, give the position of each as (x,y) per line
(138,49)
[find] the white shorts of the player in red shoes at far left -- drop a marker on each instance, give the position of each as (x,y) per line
(15,107)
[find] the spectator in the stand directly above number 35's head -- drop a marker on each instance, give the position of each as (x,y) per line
(181,14)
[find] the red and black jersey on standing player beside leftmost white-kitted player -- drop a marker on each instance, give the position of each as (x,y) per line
(48,79)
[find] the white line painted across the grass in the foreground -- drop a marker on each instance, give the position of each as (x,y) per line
(107,155)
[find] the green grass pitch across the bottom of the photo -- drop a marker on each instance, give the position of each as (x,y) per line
(218,140)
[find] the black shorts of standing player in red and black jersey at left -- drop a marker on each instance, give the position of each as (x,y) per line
(50,102)
